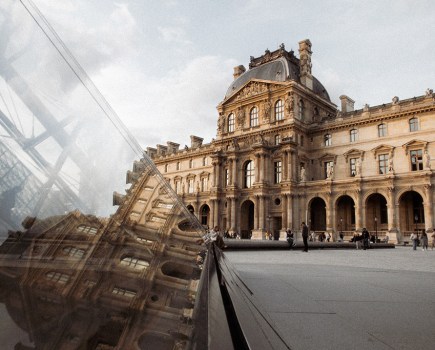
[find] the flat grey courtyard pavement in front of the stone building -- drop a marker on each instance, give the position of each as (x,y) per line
(345,299)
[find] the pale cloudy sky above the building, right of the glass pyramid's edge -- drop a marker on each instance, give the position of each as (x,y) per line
(165,65)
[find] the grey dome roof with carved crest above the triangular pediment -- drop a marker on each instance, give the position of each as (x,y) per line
(279,66)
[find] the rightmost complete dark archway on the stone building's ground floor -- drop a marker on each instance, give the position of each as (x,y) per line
(411,212)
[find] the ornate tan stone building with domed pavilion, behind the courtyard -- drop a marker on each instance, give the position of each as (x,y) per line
(284,153)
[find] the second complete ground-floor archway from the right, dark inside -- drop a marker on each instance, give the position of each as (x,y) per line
(376,213)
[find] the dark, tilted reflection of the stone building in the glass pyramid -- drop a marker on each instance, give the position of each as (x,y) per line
(128,282)
